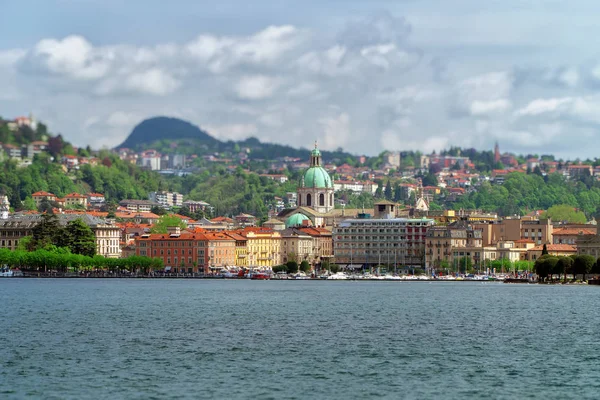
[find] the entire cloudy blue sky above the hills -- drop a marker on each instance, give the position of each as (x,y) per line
(365,76)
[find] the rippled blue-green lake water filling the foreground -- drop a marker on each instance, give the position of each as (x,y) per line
(178,339)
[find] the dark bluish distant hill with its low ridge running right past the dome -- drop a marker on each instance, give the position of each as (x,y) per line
(165,134)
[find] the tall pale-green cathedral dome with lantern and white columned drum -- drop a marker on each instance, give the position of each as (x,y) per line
(316,189)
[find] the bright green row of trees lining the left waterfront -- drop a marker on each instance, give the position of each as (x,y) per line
(62,260)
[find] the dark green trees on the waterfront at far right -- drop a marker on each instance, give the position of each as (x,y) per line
(547,266)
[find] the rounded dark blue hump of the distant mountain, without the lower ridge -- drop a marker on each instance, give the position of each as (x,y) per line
(164,128)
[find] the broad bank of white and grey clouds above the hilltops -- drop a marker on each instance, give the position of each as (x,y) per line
(365,89)
